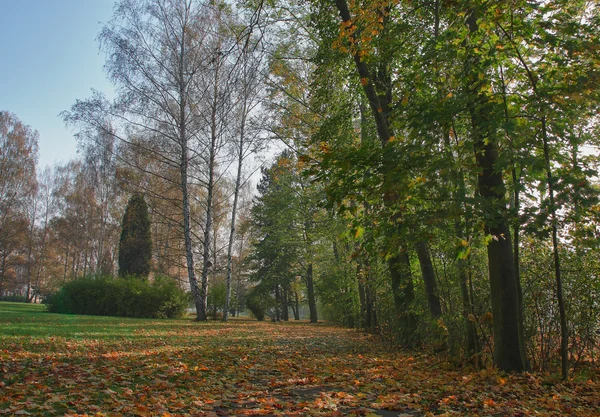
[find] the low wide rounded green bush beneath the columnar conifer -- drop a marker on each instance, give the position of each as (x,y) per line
(129,297)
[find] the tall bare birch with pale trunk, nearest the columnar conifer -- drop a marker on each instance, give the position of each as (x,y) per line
(154,55)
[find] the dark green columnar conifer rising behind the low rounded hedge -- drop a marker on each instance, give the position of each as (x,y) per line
(135,245)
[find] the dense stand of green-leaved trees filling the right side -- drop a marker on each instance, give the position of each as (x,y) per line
(455,146)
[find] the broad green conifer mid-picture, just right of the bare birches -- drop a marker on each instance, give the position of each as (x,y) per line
(285,217)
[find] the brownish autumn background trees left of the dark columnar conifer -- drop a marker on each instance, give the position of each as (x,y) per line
(57,224)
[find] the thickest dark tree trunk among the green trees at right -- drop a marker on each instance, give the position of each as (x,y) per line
(509,351)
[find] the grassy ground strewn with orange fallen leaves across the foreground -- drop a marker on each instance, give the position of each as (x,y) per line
(85,366)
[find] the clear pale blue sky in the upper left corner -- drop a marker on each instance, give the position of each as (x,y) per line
(49,57)
